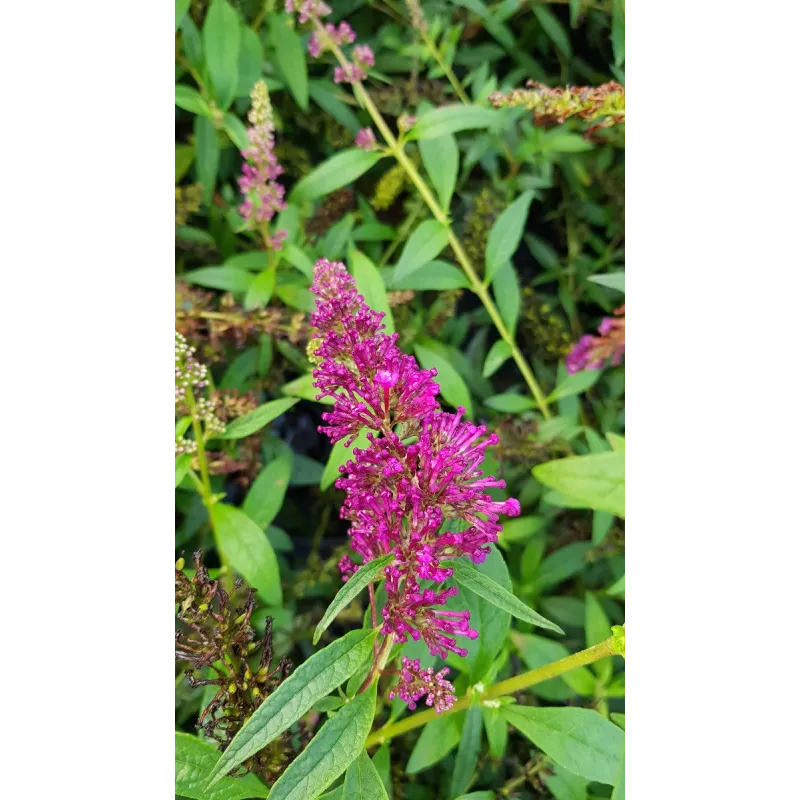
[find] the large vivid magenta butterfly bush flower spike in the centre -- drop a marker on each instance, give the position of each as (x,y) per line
(417,490)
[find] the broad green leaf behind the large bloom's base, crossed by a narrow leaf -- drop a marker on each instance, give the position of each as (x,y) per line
(485,617)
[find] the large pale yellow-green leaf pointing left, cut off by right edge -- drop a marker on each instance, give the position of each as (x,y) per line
(597,481)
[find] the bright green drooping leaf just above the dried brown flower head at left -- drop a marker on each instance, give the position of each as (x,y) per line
(247,548)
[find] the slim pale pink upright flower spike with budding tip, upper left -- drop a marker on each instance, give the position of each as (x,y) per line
(263,195)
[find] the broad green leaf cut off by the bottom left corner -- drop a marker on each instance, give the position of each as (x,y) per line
(194,761)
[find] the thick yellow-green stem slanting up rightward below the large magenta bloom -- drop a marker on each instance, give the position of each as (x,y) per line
(509,686)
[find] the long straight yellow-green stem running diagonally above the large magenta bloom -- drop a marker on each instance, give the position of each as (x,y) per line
(441,216)
